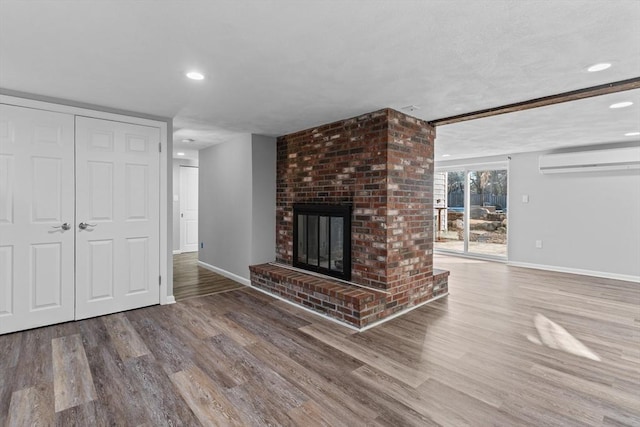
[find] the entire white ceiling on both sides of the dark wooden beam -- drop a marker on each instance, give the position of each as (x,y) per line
(278,66)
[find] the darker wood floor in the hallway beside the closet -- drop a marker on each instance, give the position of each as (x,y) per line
(190,280)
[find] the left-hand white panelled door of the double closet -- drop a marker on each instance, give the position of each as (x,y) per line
(36,199)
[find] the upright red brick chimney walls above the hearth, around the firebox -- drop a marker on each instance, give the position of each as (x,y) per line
(382,163)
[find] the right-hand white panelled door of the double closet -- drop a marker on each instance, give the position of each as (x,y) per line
(117,214)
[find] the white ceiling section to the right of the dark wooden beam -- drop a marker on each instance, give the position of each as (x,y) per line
(585,122)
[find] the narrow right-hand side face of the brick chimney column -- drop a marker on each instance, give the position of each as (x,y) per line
(410,208)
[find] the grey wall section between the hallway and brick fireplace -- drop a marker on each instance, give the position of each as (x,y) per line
(237,204)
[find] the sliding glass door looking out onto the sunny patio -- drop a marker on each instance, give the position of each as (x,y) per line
(470,210)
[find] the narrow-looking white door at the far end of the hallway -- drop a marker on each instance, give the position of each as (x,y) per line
(188,209)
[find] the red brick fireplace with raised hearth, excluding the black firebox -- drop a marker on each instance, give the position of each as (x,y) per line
(380,165)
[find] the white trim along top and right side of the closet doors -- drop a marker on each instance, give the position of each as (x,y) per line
(163,166)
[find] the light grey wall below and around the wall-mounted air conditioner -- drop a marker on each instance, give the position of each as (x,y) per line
(588,222)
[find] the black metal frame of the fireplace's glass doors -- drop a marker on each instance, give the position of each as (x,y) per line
(331,211)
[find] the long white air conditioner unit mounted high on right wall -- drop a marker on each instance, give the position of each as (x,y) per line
(586,161)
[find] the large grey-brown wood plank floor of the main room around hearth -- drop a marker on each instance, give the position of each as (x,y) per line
(480,357)
